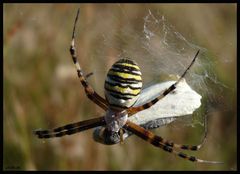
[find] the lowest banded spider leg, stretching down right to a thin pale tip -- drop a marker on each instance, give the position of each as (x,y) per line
(157,141)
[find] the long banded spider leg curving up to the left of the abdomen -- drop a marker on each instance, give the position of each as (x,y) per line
(91,94)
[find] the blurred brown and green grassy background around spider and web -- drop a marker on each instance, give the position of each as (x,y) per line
(41,89)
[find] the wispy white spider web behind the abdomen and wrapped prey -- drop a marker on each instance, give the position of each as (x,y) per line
(162,53)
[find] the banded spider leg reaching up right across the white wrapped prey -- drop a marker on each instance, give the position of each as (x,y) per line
(134,110)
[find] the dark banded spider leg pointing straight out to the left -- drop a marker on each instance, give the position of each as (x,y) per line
(70,128)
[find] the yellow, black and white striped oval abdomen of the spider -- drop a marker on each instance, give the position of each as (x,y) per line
(123,84)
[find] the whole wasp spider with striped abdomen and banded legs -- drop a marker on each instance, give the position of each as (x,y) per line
(123,86)
